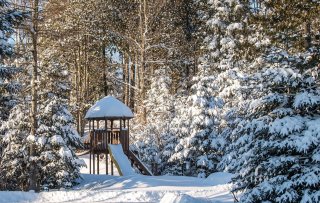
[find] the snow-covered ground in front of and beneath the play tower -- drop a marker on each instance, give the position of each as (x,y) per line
(134,188)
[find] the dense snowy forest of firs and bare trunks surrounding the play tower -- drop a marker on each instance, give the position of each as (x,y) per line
(215,85)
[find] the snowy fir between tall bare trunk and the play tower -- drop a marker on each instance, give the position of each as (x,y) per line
(57,140)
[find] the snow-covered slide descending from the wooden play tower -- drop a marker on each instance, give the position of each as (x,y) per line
(121,160)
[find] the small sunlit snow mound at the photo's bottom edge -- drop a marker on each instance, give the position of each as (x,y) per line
(181,198)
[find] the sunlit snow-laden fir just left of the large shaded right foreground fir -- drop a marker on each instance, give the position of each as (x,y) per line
(195,127)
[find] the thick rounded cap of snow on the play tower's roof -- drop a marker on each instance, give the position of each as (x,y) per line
(109,107)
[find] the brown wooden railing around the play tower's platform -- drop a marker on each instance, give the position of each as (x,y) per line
(99,139)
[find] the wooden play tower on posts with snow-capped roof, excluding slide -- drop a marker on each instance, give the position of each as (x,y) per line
(109,124)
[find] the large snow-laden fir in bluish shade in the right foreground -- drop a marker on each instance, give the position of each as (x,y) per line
(275,152)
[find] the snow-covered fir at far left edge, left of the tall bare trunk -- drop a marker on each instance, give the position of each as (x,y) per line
(14,163)
